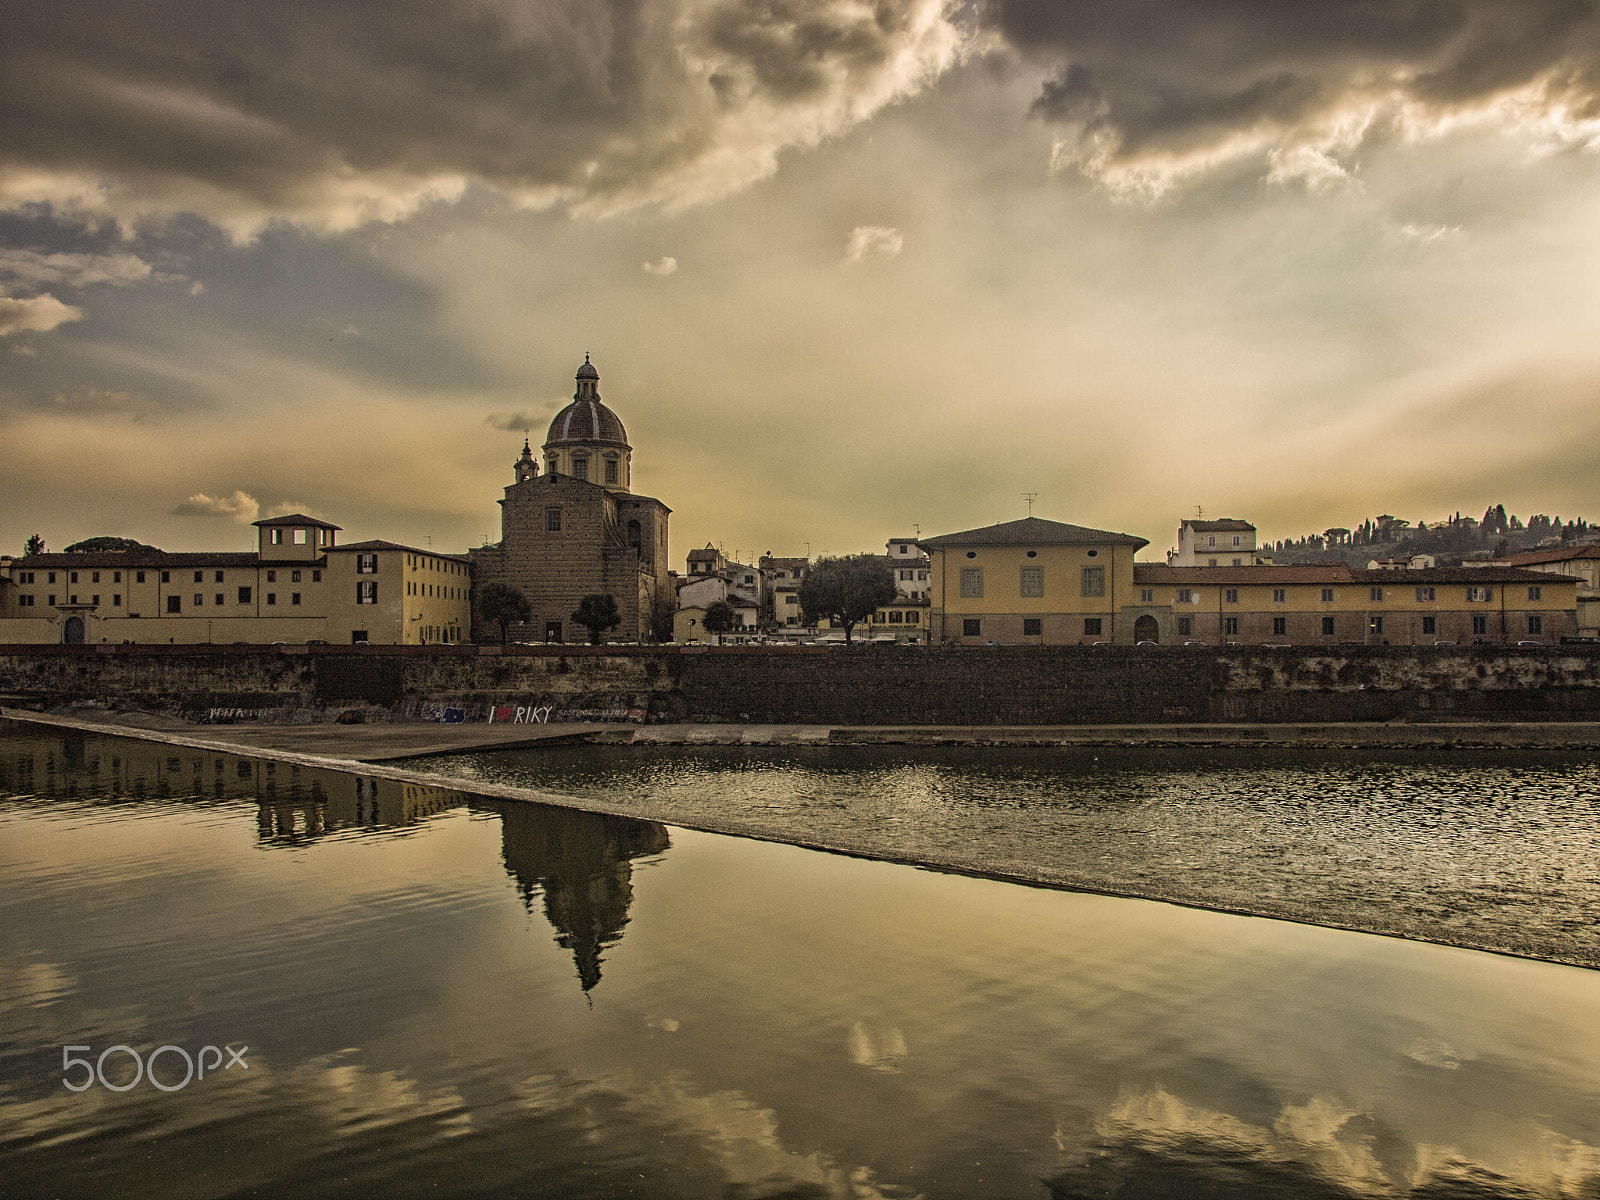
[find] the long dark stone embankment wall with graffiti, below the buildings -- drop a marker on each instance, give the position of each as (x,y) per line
(814,686)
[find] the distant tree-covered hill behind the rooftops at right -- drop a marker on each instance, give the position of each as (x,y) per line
(1452,542)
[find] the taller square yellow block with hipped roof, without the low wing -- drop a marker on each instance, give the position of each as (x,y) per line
(1031,582)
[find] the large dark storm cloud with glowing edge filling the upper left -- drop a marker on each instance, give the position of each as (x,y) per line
(338,113)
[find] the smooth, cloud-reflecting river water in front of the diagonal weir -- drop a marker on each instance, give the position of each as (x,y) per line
(449,996)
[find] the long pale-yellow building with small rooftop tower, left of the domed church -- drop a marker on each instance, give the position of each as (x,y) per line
(298,588)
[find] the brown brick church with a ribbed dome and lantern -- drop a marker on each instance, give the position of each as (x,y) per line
(577,529)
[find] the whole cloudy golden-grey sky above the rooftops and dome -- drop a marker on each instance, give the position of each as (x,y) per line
(849,270)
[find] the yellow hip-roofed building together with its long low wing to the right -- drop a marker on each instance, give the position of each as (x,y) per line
(1046,583)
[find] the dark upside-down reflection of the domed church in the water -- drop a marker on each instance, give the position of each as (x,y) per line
(582,863)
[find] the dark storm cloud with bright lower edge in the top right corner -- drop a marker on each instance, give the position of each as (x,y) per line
(1145,79)
